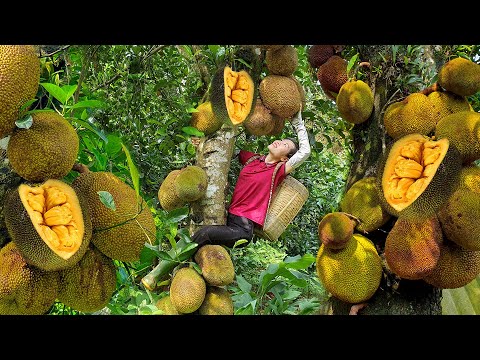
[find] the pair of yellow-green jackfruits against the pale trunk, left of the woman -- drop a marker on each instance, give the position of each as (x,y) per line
(182,186)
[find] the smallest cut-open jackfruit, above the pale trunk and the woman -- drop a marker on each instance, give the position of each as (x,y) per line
(232,95)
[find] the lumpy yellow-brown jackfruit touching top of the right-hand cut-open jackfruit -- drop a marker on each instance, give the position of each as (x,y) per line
(413,115)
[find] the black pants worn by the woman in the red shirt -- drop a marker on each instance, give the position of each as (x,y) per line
(236,228)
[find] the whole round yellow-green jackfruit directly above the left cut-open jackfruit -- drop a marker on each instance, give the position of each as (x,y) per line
(47,150)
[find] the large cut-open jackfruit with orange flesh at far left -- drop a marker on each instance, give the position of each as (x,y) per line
(50,224)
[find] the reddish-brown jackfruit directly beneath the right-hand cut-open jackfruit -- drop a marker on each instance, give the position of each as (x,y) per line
(412,249)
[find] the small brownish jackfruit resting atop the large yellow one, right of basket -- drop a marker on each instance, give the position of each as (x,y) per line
(335,230)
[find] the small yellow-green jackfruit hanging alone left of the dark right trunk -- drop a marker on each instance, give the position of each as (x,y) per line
(355,101)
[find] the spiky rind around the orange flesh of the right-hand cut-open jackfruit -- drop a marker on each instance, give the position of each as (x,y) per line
(439,188)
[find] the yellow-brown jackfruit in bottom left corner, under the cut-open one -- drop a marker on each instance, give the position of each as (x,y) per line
(24,289)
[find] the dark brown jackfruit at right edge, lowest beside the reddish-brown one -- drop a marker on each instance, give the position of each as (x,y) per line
(455,268)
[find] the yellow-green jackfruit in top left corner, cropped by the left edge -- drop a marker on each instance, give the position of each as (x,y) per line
(19,80)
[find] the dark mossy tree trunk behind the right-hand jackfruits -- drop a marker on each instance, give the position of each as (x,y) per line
(395,295)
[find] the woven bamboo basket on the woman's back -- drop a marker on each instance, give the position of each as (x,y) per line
(287,201)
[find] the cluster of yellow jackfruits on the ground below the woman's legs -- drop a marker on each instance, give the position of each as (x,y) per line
(205,293)
